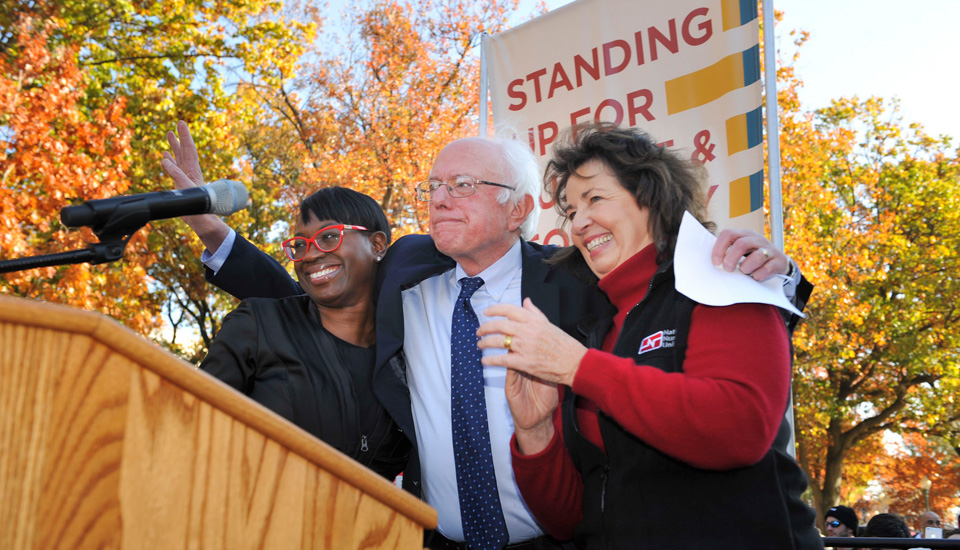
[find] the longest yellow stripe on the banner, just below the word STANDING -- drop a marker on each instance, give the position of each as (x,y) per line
(703,86)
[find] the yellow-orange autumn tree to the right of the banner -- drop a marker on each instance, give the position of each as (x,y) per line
(872,215)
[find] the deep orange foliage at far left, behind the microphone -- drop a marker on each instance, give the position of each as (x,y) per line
(51,152)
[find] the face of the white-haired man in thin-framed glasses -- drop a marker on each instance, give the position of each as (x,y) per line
(477,230)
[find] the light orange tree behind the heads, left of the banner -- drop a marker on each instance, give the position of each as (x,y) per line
(377,100)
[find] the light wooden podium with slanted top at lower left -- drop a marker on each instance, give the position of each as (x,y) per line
(108,441)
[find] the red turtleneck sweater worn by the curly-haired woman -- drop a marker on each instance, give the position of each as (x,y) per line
(721,412)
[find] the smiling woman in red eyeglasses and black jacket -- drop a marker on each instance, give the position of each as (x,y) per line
(310,358)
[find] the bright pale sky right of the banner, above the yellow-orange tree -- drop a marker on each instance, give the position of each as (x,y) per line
(886,48)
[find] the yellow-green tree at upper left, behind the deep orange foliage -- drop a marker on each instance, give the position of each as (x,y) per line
(152,64)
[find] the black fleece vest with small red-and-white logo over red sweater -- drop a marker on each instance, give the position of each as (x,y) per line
(636,497)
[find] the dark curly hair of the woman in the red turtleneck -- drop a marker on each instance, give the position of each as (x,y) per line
(661,180)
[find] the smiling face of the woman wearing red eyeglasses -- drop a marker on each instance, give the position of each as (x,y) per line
(344,277)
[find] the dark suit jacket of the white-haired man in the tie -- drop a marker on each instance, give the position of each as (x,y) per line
(562,297)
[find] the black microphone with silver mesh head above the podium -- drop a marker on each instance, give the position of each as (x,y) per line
(222,197)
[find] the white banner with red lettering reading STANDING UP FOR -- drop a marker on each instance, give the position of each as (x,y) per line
(685,71)
